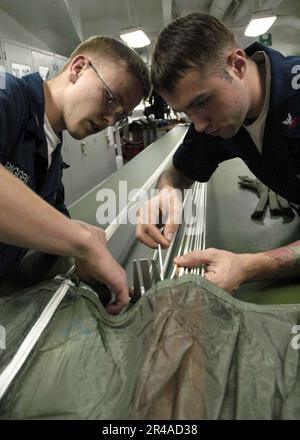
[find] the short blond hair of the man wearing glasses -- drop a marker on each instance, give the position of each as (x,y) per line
(100,46)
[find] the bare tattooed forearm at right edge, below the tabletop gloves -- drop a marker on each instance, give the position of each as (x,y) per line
(277,263)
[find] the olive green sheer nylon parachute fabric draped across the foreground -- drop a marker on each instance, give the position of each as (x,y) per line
(186,350)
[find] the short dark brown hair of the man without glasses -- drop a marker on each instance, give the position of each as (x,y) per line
(194,39)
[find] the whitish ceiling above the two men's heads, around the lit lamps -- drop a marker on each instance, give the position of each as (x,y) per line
(61,24)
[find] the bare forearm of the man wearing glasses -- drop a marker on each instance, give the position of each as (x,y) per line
(27,220)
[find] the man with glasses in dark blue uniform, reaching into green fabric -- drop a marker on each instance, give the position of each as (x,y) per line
(100,84)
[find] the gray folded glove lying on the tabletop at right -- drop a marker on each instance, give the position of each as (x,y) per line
(278,205)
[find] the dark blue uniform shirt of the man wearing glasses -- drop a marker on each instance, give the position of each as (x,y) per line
(23,148)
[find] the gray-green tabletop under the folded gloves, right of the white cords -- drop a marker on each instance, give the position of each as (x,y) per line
(229,226)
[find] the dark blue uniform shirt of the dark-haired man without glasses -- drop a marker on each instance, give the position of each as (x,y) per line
(279,164)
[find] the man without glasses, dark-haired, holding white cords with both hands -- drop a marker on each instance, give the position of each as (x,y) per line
(242,103)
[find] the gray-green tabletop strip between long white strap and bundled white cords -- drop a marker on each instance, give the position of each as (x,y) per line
(123,244)
